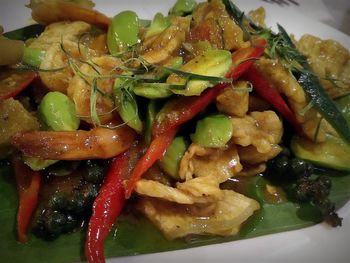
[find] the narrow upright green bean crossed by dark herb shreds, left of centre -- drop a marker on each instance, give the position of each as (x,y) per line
(126,103)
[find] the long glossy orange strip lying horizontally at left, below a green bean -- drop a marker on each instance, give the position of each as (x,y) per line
(97,143)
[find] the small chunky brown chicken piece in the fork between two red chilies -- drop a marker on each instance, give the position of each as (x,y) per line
(234,101)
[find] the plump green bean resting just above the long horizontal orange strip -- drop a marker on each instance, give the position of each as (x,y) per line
(58,112)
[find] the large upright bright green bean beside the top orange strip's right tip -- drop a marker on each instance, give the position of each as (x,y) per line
(123,32)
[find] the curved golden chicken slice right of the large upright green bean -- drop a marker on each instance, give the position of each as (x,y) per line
(161,47)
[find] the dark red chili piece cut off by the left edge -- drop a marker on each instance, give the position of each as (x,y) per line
(12,82)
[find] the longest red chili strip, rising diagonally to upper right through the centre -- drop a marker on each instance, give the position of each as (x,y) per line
(181,110)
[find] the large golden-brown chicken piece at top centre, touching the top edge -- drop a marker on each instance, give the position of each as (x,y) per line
(212,22)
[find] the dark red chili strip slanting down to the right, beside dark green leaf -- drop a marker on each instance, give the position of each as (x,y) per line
(264,89)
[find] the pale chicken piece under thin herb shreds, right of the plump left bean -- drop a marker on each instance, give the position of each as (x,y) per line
(80,91)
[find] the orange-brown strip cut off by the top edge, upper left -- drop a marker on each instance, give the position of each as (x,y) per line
(49,11)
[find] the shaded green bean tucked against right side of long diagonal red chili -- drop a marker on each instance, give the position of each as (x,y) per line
(171,161)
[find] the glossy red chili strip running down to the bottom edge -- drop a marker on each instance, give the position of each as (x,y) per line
(106,208)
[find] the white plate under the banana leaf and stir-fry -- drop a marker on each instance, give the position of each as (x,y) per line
(319,243)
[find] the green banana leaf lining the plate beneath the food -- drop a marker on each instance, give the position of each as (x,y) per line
(137,235)
